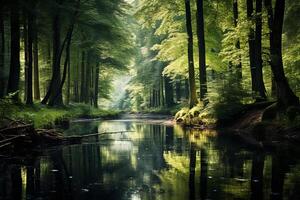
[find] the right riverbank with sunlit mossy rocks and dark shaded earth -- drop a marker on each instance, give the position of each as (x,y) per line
(259,125)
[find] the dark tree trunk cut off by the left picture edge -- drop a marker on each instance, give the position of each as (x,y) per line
(2,52)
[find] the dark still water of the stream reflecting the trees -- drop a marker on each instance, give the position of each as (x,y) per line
(153,162)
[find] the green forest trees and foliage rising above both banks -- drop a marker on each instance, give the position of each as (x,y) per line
(183,52)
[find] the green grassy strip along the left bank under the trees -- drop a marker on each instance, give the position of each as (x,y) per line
(43,116)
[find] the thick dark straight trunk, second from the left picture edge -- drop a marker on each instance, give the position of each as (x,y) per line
(14,72)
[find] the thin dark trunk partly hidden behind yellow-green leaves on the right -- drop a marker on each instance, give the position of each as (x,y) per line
(237,45)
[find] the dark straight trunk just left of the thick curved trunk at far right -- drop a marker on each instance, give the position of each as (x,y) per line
(258,51)
